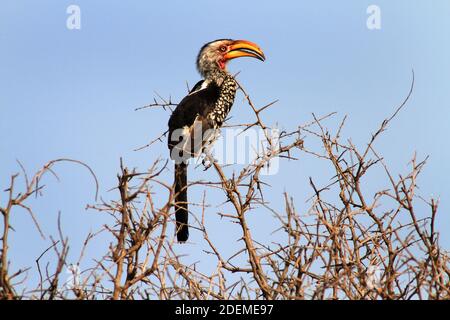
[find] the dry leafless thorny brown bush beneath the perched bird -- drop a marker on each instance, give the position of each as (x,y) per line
(349,244)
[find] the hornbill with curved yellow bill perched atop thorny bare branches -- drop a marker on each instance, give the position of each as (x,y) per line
(196,121)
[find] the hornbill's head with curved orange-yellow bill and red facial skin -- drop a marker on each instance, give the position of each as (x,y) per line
(214,55)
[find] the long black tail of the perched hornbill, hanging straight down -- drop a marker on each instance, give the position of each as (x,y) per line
(181,205)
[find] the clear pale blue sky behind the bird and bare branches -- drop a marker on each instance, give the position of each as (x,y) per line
(72,93)
